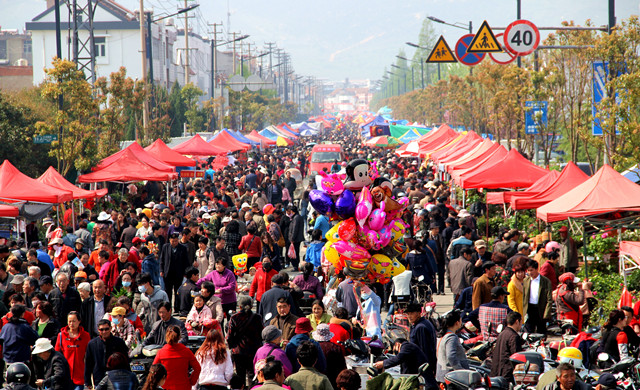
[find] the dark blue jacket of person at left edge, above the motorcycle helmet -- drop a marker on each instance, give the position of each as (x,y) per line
(17,339)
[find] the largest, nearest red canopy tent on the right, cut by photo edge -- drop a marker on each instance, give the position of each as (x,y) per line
(605,192)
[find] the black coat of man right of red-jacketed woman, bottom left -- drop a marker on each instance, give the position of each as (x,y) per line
(95,359)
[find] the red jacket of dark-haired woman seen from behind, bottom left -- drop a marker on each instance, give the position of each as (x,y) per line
(178,359)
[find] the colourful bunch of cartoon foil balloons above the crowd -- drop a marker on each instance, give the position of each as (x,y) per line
(367,239)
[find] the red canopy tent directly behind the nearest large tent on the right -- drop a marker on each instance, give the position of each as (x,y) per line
(571,177)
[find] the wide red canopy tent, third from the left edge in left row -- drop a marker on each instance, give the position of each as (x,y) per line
(127,168)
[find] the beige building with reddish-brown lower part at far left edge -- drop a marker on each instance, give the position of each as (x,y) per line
(16,68)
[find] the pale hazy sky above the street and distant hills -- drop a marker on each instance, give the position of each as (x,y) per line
(335,39)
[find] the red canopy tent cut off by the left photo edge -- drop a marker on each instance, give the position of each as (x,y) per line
(15,186)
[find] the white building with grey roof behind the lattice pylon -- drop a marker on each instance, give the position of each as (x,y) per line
(116,42)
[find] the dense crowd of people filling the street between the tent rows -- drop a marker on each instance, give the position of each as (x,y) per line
(156,268)
